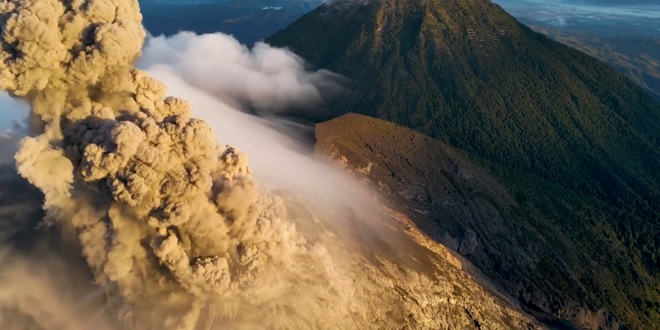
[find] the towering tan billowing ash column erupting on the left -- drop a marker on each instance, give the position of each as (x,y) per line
(165,215)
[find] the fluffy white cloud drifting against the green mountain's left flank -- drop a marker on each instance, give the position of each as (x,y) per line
(264,78)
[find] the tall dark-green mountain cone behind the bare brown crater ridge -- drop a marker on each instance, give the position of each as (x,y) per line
(467,73)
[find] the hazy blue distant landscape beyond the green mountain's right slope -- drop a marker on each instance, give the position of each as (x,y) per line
(624,34)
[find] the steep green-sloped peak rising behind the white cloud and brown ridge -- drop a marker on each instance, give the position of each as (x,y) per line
(436,90)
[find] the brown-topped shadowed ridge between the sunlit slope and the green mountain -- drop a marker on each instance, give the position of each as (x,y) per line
(519,229)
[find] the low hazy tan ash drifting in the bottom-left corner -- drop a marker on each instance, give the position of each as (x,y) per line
(33,298)
